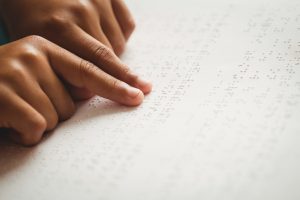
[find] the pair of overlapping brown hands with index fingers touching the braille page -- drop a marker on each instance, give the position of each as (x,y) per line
(73,57)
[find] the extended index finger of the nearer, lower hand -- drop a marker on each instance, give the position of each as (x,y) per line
(84,74)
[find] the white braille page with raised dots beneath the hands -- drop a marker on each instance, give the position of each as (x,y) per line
(222,122)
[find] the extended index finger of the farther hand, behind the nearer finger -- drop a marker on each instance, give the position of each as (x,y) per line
(89,48)
